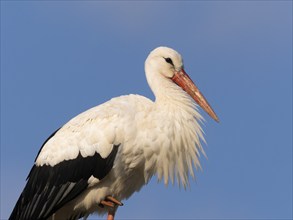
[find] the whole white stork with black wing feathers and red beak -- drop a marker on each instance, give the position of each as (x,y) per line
(108,152)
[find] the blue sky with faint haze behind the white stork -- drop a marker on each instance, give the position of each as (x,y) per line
(59,58)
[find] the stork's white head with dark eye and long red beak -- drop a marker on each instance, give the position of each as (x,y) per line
(166,65)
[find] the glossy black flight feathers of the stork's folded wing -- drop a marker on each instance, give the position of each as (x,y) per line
(49,188)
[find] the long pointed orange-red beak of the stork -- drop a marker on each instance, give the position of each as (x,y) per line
(183,80)
